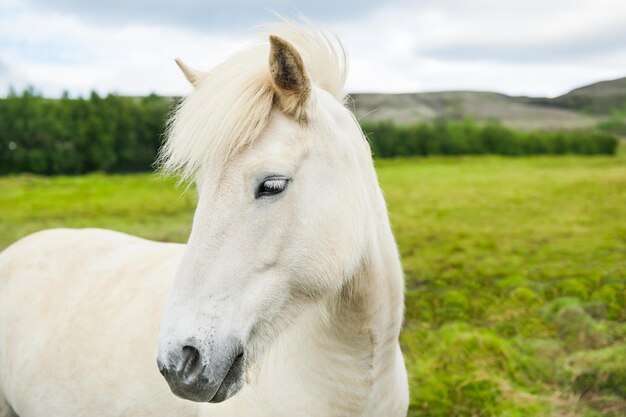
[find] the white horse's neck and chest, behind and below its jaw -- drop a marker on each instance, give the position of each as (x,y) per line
(344,352)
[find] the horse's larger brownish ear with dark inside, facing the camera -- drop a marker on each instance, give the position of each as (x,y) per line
(289,79)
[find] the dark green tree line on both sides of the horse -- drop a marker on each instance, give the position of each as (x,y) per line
(123,134)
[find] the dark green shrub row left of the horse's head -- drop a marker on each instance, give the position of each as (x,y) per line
(75,136)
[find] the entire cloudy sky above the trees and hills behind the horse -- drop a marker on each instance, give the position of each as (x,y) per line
(519,47)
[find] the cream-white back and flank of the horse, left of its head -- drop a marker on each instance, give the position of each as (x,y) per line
(79,313)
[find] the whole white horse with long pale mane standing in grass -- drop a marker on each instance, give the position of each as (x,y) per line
(286,301)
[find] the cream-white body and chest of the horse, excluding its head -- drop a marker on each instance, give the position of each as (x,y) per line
(77,338)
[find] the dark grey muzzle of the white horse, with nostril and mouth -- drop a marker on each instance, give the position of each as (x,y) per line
(211,374)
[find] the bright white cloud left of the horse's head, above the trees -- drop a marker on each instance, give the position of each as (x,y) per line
(133,60)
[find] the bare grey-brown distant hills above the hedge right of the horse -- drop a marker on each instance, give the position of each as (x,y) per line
(581,108)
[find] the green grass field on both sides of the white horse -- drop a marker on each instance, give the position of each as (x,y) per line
(515,271)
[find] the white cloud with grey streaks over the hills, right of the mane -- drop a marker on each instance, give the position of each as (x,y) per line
(401,49)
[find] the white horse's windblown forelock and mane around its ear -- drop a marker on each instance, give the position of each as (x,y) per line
(231,104)
